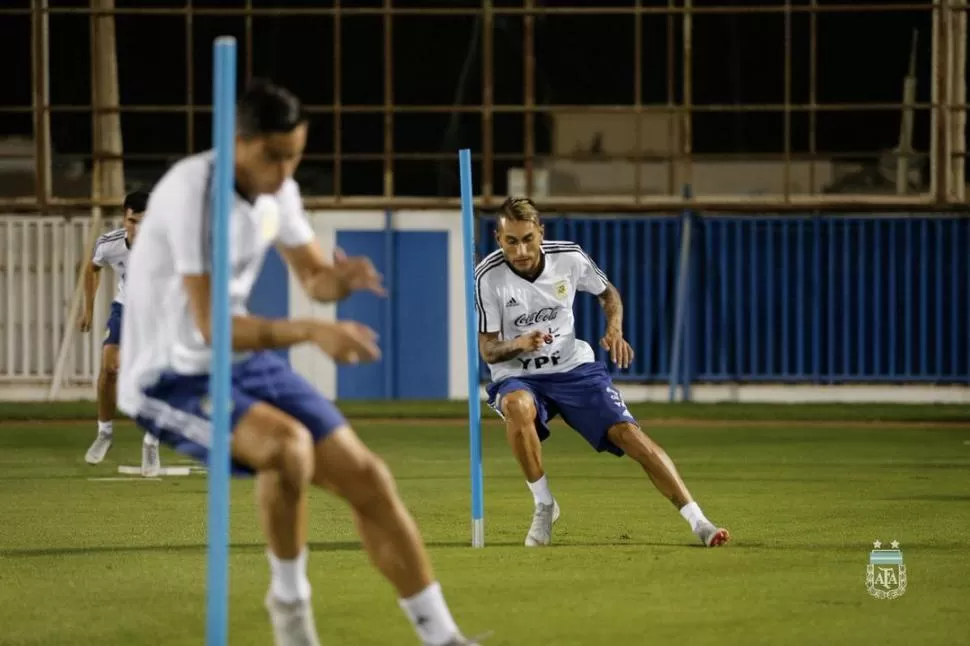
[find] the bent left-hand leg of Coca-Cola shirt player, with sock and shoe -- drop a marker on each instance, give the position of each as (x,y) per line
(520,410)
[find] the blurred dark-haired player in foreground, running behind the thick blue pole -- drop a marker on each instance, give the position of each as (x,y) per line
(283,431)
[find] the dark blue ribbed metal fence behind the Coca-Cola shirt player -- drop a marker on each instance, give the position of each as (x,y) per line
(822,299)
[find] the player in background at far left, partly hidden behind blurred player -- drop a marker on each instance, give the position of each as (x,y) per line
(111,249)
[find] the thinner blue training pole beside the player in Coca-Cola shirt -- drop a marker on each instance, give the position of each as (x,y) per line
(471,327)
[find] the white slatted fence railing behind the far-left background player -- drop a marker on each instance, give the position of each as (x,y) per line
(41,260)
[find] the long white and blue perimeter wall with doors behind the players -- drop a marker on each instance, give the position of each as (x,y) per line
(788,308)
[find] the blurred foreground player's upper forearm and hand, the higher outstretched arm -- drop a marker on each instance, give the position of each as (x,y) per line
(326,282)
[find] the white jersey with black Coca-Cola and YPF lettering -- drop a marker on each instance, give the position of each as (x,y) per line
(512,306)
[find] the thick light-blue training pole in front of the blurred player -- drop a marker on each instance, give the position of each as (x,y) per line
(223,135)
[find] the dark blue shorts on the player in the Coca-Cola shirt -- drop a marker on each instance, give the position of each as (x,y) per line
(584,397)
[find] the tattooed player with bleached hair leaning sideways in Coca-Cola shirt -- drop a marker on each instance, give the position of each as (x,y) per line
(539,369)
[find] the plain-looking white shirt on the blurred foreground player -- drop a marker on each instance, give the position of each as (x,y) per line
(174,240)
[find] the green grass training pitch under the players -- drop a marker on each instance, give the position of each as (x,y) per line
(86,558)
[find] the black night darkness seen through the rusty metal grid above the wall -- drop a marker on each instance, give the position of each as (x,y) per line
(583,60)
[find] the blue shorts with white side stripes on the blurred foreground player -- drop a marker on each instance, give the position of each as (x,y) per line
(176,409)
